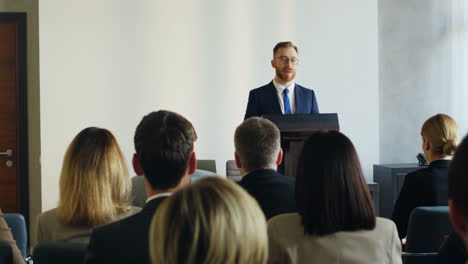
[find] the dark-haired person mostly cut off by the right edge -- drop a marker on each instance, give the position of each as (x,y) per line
(455,248)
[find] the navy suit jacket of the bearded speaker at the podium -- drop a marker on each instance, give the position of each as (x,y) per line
(264,100)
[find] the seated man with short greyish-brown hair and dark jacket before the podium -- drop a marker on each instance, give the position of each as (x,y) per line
(257,154)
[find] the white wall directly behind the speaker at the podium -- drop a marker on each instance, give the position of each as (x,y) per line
(107,63)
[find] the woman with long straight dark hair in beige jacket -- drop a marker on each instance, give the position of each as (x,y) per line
(335,222)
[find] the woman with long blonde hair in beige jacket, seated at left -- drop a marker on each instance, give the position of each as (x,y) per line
(94,186)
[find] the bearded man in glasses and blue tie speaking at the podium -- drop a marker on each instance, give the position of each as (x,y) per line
(282,95)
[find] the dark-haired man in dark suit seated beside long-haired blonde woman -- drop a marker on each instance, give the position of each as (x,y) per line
(165,157)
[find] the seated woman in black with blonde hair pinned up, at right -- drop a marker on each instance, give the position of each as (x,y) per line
(428,186)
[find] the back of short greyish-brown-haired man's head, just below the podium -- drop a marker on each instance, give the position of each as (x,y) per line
(257,143)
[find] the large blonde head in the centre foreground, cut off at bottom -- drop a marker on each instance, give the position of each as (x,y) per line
(209,222)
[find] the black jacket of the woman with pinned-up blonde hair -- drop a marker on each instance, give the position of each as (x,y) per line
(424,187)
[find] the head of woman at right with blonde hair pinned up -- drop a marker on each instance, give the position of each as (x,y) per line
(442,132)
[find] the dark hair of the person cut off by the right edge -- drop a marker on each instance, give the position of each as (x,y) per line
(458,177)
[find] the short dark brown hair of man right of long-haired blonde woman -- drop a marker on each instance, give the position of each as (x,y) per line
(163,143)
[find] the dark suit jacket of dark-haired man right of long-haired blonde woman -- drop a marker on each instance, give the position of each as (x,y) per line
(124,241)
